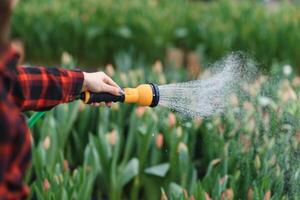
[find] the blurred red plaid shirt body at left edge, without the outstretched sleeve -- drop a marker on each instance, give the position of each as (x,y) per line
(15,147)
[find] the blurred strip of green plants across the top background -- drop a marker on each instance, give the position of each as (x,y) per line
(98,31)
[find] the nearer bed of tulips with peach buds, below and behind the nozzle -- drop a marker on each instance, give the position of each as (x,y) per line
(126,152)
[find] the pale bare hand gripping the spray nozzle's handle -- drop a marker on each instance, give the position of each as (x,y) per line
(100,82)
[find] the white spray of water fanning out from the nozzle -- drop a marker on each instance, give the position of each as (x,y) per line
(209,96)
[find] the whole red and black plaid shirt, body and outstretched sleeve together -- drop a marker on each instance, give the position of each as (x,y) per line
(21,89)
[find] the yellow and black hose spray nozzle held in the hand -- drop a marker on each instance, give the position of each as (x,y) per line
(143,95)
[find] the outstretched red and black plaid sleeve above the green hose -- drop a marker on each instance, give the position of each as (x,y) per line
(40,88)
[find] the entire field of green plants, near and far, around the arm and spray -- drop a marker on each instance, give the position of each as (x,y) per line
(252,151)
